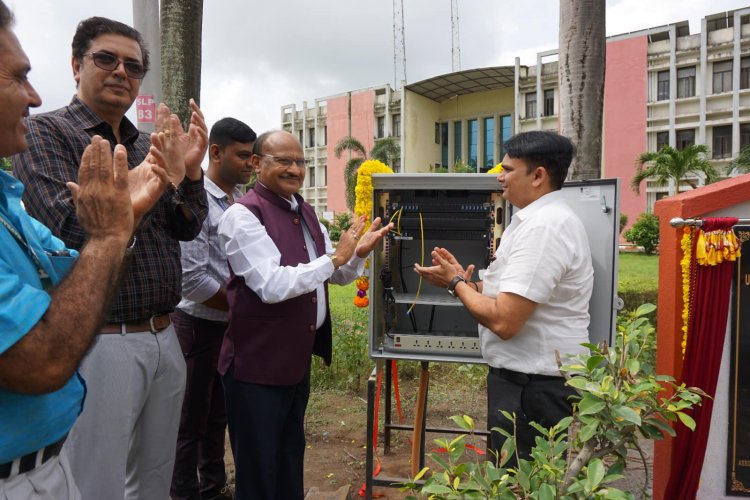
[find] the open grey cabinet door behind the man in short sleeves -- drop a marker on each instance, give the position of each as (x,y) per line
(597,204)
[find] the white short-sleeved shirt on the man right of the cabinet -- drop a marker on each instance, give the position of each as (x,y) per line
(543,256)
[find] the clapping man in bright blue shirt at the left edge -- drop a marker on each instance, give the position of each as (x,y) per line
(48,313)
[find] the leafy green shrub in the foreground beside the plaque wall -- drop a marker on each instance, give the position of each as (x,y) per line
(619,400)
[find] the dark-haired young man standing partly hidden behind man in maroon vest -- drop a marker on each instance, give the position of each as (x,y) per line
(200,320)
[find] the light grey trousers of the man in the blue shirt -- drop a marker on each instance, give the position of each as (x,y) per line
(52,480)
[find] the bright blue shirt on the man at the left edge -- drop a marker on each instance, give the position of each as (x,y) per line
(30,422)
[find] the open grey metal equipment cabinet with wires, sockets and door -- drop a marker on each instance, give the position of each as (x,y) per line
(465,213)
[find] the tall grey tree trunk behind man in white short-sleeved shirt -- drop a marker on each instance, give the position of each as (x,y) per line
(581,77)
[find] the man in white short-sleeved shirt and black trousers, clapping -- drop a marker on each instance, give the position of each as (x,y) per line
(533,300)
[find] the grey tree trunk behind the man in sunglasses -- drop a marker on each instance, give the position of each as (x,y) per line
(181,27)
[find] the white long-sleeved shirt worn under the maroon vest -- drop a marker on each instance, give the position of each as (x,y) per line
(254,256)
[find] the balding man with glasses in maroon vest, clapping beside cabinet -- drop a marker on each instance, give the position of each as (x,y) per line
(281,261)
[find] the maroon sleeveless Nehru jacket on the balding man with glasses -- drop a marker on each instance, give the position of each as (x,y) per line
(272,343)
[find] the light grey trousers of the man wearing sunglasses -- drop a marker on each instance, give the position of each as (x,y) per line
(123,444)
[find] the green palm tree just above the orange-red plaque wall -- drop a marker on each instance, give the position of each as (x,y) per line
(670,163)
